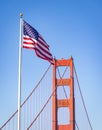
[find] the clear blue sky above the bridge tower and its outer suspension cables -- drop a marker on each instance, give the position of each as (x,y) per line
(70,28)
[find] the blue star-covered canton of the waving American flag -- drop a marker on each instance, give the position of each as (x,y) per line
(29,31)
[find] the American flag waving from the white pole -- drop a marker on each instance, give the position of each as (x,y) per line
(33,40)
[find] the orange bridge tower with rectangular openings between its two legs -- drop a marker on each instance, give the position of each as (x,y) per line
(63,103)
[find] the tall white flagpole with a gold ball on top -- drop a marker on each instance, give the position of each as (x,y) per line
(19,72)
